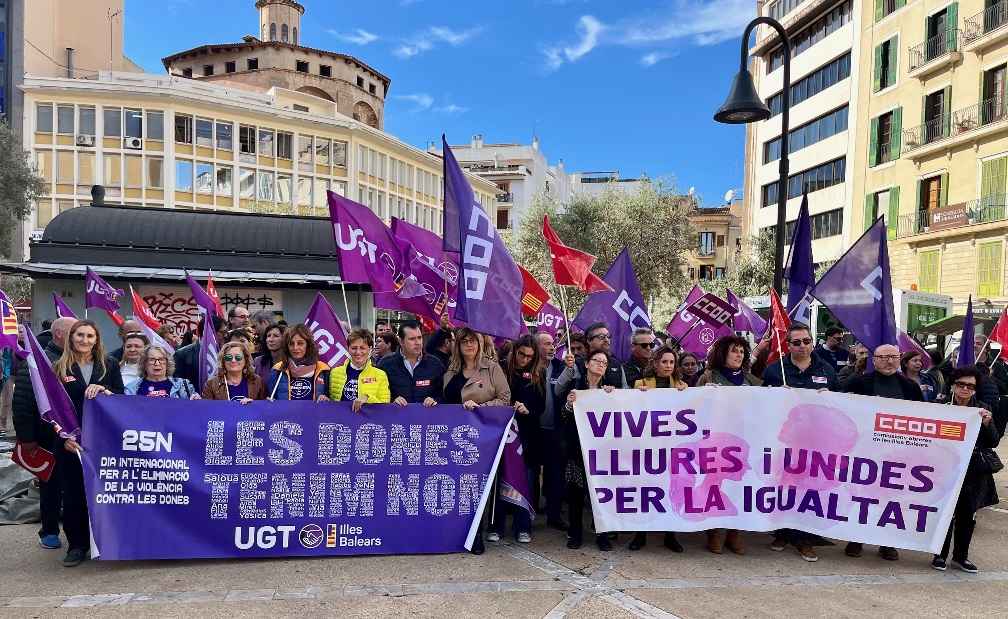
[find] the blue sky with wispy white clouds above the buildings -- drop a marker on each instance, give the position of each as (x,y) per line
(606,86)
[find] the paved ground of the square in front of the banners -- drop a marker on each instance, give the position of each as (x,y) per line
(542,579)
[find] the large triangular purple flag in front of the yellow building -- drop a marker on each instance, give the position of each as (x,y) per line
(858,290)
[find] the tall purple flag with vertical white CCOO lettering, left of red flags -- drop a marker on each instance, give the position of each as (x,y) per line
(490,286)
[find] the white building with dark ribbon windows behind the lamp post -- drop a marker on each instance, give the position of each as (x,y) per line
(826,62)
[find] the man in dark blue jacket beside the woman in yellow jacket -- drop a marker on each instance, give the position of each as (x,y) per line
(415,378)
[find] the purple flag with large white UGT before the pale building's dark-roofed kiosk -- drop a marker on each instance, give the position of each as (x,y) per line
(365,249)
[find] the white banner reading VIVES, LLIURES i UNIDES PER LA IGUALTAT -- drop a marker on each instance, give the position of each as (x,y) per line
(849,467)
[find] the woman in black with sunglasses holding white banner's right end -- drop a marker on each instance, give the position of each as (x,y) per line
(979,489)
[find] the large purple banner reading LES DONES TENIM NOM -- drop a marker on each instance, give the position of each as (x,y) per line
(214,479)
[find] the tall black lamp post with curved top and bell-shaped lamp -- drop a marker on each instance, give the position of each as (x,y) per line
(744,106)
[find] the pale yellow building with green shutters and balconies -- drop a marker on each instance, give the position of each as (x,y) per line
(933,143)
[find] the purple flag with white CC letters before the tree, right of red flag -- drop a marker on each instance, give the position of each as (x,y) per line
(622,309)
